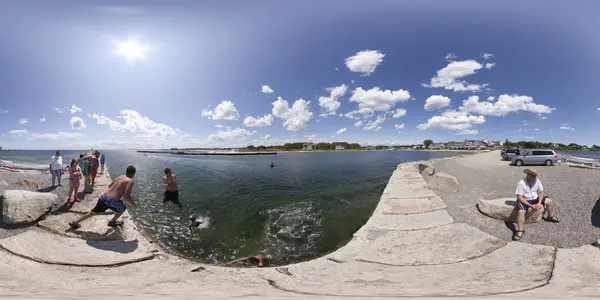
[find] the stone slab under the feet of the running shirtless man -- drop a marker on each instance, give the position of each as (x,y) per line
(95,228)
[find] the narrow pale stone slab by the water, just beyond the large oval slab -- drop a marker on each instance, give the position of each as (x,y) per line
(382,223)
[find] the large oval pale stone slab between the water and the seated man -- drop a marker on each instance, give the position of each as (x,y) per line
(446,244)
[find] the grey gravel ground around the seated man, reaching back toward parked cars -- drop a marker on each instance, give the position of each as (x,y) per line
(484,176)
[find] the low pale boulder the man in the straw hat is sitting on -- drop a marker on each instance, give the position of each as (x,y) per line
(504,209)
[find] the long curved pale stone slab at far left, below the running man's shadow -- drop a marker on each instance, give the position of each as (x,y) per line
(62,250)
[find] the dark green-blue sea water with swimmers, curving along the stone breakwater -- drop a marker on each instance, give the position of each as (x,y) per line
(308,205)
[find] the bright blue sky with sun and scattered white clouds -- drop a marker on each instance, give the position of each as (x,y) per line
(162,74)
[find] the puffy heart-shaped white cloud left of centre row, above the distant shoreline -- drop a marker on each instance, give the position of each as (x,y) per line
(296,117)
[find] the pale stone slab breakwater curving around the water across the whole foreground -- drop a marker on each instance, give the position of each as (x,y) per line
(410,246)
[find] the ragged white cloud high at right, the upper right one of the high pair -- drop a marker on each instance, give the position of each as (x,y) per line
(450,76)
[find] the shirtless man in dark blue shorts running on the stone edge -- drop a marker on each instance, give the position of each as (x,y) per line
(111,199)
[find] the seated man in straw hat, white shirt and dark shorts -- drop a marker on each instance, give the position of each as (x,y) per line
(530,195)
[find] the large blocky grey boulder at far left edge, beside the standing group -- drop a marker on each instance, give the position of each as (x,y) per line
(23,207)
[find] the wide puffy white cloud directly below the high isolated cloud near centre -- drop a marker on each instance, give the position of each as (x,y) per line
(378,100)
